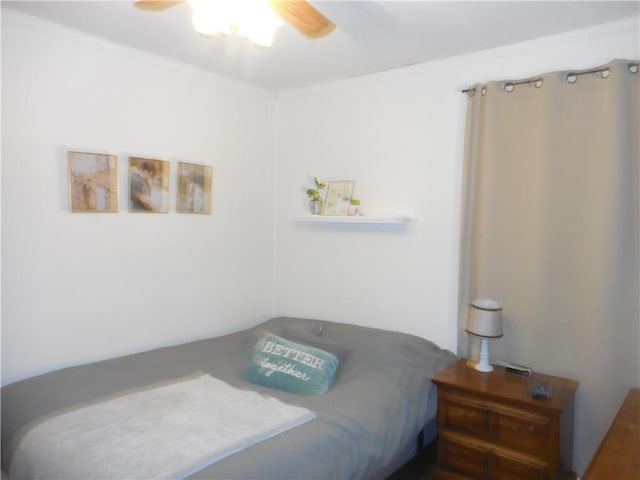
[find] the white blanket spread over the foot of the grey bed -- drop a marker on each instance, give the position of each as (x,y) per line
(165,432)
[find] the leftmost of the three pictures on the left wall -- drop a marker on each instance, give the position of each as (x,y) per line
(93,182)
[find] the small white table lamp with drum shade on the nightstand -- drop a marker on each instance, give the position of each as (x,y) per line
(485,321)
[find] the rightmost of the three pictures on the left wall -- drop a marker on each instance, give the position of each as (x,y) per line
(194,188)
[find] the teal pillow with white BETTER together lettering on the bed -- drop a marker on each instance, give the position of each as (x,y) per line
(290,366)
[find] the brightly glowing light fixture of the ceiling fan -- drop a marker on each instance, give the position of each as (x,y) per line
(253,19)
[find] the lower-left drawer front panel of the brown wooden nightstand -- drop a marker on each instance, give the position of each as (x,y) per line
(462,458)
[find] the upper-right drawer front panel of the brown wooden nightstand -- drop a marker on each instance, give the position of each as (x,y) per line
(521,431)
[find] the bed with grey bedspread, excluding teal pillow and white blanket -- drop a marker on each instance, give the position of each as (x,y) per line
(366,425)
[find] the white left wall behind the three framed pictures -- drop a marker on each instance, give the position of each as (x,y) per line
(78,287)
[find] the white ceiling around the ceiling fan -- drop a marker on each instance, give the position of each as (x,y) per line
(370,36)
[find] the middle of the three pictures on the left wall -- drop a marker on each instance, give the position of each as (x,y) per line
(148,185)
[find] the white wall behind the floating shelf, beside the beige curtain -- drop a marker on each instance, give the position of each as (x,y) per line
(399,134)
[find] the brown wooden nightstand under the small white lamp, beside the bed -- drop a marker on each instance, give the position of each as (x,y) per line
(489,426)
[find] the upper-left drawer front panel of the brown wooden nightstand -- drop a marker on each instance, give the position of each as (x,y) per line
(464,416)
